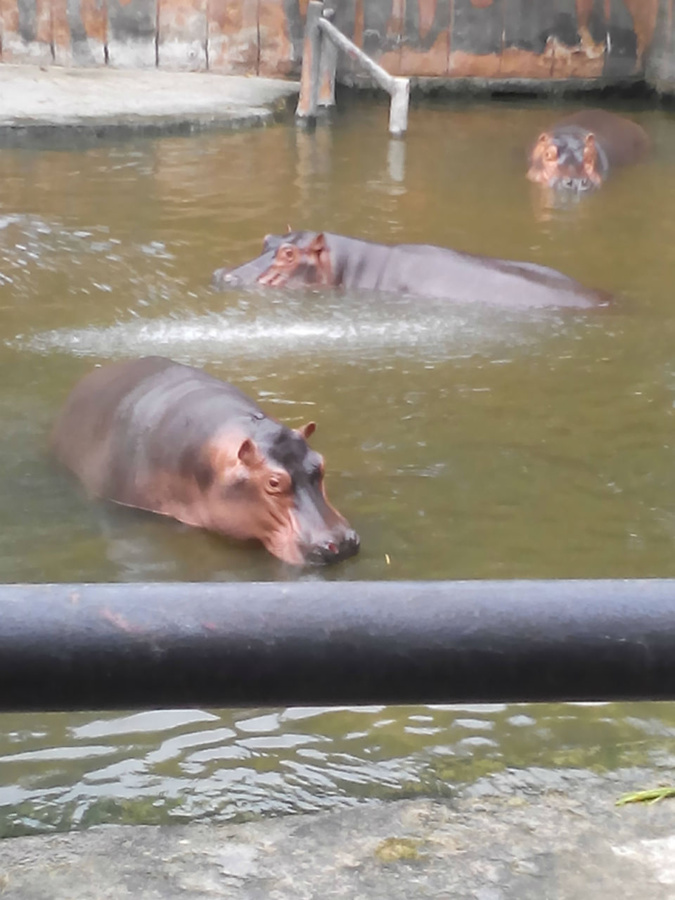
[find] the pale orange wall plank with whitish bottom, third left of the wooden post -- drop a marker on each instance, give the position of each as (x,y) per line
(182,34)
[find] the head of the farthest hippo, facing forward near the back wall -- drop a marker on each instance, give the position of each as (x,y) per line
(568,160)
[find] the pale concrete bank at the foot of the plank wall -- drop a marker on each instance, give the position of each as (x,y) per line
(34,98)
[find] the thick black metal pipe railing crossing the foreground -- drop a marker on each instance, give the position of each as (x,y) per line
(107,646)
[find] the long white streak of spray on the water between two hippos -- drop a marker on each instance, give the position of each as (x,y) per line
(401,328)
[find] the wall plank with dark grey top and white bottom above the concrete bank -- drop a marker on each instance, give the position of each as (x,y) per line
(132,31)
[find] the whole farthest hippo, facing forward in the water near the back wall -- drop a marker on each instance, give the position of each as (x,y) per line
(578,152)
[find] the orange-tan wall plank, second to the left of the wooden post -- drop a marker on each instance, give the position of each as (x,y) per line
(232,36)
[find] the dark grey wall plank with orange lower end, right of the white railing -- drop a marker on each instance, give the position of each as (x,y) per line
(476,39)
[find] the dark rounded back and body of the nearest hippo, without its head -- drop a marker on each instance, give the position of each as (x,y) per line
(126,421)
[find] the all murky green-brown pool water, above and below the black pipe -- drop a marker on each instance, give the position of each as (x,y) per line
(461,441)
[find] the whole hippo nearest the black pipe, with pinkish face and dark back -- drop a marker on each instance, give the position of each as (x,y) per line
(160,436)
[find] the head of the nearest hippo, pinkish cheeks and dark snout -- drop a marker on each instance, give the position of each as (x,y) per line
(271,488)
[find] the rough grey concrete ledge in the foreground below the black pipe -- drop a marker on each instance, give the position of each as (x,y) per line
(534,834)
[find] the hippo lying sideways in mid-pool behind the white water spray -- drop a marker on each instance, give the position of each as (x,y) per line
(321,259)
